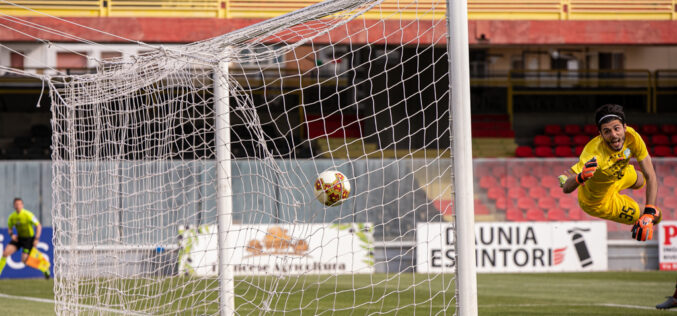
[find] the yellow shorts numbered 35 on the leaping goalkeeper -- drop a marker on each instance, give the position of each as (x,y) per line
(617,207)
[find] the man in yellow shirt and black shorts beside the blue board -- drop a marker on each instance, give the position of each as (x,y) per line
(25,238)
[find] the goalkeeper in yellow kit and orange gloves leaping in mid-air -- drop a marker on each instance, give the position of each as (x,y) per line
(604,169)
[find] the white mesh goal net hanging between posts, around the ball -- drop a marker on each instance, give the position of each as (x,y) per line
(184,177)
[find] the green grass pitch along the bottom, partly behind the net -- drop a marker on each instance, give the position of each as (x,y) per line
(605,293)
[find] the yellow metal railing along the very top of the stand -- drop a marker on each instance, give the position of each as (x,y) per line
(409,9)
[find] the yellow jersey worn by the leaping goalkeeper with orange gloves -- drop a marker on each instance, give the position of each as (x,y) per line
(611,165)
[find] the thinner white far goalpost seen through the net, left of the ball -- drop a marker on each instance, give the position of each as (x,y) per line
(224,192)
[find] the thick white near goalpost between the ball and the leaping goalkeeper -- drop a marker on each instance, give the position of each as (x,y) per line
(459,98)
